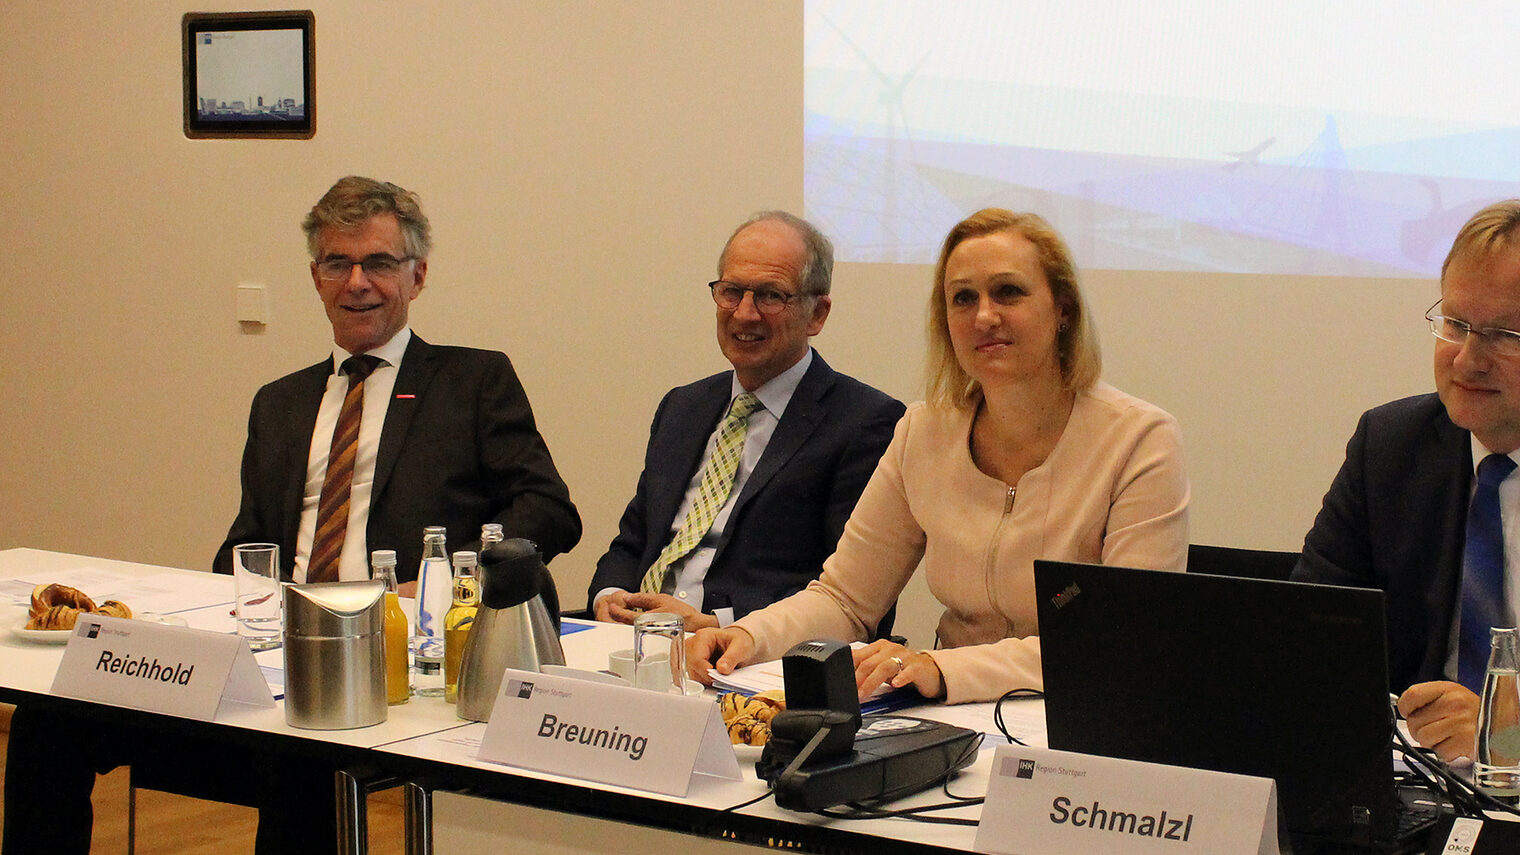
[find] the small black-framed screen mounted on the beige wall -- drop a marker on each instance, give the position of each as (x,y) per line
(250,75)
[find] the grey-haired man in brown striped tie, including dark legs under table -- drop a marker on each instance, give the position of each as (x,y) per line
(442,436)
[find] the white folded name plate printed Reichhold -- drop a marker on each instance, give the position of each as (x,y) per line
(159,669)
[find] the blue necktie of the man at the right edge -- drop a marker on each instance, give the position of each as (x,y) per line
(1483,573)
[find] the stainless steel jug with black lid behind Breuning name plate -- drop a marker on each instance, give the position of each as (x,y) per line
(518,625)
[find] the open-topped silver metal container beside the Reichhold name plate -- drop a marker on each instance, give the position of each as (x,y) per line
(335,655)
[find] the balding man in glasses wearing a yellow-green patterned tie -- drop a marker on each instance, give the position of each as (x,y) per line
(712,542)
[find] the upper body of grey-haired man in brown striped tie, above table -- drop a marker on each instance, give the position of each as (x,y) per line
(446,436)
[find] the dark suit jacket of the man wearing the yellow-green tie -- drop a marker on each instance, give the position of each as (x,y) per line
(791,512)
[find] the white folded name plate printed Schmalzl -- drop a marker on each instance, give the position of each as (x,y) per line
(1048,803)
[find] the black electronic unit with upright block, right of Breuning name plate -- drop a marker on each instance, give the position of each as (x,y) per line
(823,754)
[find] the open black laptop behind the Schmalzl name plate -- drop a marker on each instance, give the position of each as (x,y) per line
(1273,679)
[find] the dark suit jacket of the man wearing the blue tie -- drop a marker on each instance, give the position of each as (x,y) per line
(1396,520)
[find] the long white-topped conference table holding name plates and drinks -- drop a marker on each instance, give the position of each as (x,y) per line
(458,803)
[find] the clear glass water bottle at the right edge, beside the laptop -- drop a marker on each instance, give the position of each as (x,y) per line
(1496,771)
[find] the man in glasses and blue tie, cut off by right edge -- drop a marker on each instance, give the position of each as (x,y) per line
(1408,516)
